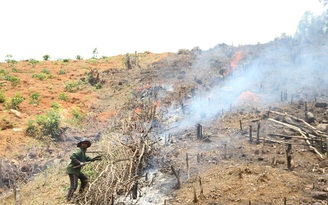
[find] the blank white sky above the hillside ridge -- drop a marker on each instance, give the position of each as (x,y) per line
(66,28)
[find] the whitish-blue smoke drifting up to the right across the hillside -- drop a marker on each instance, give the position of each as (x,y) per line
(282,68)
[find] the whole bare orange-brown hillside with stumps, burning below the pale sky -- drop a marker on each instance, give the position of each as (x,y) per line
(233,125)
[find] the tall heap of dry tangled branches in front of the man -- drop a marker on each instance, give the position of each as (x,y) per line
(127,145)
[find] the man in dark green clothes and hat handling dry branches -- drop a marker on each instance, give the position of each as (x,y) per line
(78,160)
